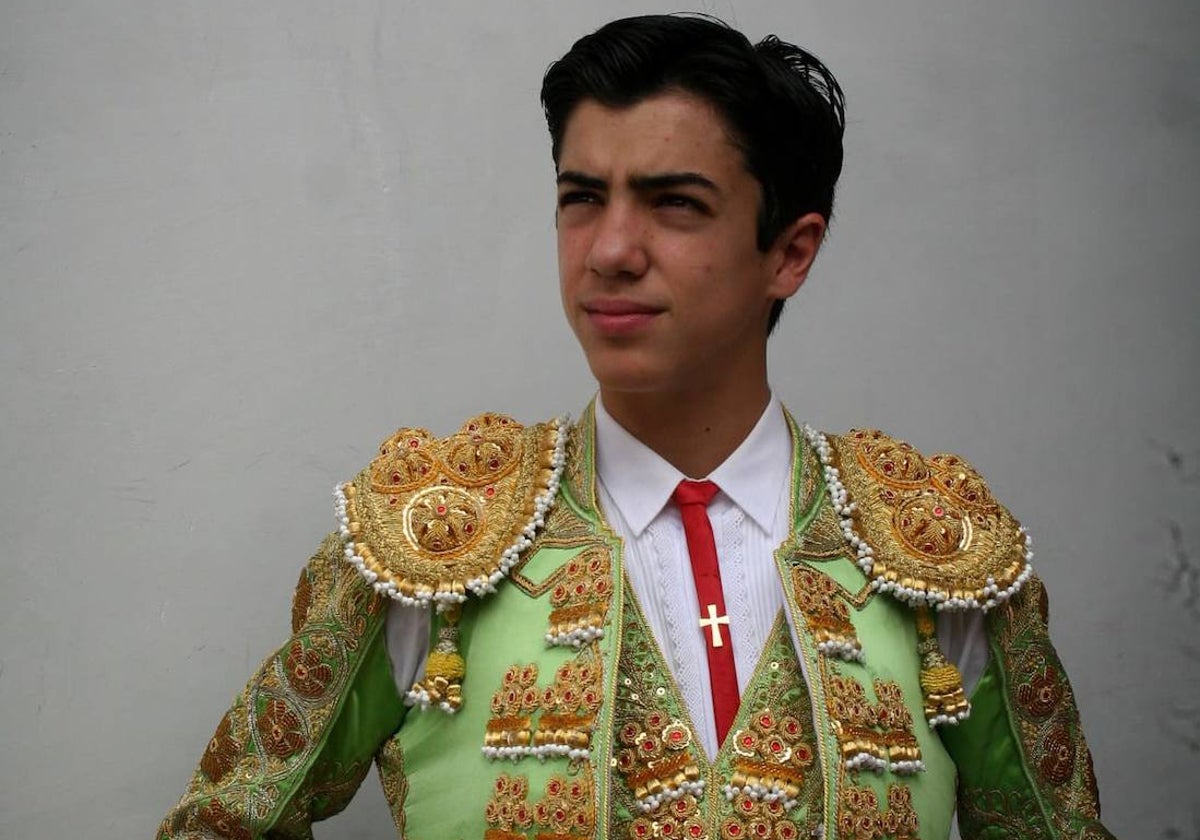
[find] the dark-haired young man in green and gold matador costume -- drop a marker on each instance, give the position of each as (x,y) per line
(683,616)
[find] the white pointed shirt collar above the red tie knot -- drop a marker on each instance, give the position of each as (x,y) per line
(641,482)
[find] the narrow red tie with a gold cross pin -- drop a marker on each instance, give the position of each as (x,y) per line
(693,499)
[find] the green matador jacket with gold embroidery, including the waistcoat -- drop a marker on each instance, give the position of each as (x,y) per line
(547,712)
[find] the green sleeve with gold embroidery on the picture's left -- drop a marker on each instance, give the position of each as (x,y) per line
(285,755)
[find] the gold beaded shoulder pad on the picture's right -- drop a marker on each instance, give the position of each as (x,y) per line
(928,531)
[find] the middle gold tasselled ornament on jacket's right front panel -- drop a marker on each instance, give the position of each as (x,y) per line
(873,736)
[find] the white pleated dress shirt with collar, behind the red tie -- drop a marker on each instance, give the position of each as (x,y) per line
(751,518)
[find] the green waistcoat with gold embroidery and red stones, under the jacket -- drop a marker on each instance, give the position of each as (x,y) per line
(760,784)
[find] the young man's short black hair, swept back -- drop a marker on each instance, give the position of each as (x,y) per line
(783,107)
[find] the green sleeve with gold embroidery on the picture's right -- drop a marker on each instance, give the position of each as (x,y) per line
(1024,766)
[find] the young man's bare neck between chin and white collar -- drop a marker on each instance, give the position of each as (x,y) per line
(694,431)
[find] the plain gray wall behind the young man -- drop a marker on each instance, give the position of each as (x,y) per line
(241,243)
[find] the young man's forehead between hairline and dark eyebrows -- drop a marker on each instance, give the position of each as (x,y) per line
(667,133)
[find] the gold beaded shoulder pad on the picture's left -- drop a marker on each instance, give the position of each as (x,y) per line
(431,520)
